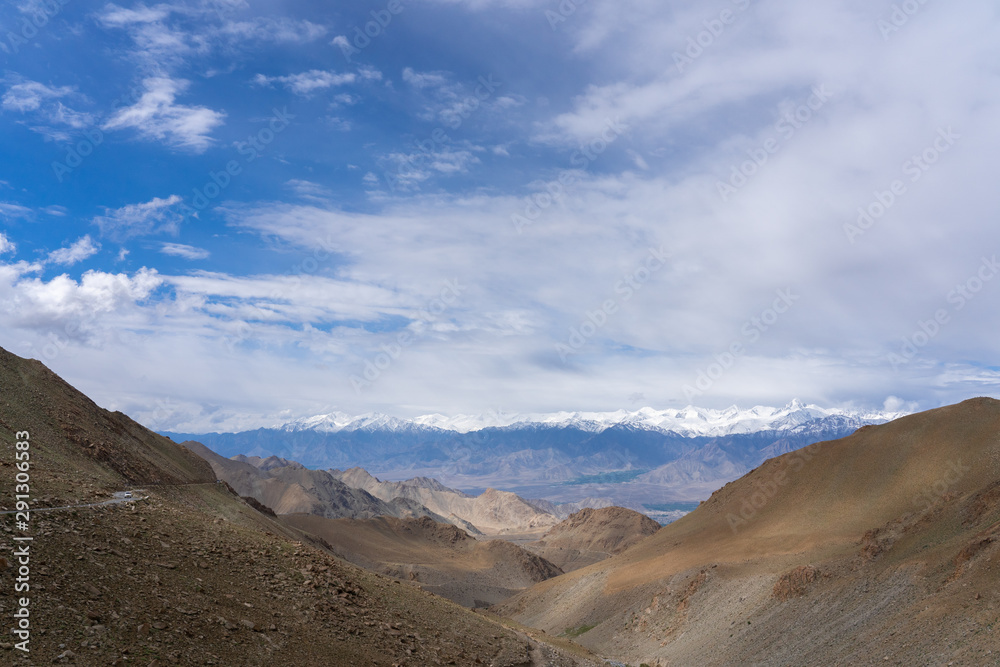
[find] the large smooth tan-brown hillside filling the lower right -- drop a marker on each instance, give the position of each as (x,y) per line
(879,548)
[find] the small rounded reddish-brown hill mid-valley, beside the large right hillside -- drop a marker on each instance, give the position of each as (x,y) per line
(591,535)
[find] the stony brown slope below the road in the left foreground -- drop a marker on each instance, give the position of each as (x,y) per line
(194,576)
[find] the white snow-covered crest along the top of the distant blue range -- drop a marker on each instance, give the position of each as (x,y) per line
(690,421)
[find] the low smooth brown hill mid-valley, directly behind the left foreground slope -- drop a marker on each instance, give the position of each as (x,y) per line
(439,557)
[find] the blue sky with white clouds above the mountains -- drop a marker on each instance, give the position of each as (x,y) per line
(223,214)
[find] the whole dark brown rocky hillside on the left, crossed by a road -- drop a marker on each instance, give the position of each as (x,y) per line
(187,573)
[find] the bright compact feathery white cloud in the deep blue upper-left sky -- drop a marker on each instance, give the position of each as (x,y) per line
(156,117)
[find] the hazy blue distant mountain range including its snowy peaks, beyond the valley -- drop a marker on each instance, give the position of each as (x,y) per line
(651,460)
